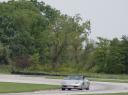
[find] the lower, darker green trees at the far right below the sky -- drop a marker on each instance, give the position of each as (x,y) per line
(110,56)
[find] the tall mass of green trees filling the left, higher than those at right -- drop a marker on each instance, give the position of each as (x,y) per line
(35,35)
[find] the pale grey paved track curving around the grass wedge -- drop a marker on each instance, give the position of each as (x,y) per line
(96,87)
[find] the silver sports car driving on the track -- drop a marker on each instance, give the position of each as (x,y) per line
(75,82)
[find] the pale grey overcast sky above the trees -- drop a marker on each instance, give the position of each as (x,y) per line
(109,18)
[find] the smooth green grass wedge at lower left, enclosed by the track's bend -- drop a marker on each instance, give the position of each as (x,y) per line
(6,87)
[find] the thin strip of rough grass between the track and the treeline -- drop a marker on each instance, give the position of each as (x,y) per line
(6,69)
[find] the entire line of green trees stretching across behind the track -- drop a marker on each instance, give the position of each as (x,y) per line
(36,37)
